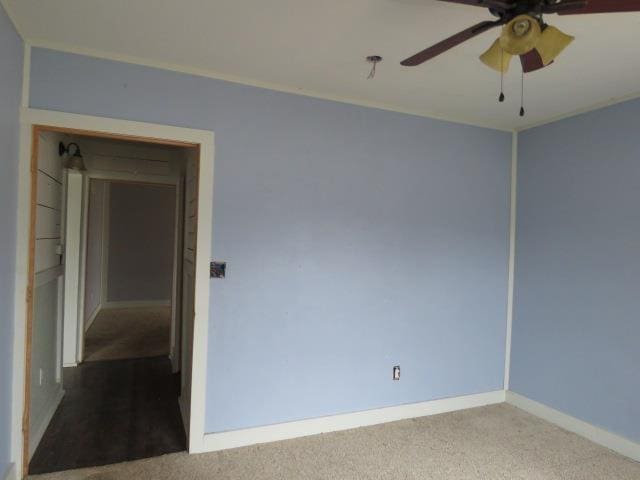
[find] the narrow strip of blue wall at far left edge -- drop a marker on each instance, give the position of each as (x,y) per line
(11,55)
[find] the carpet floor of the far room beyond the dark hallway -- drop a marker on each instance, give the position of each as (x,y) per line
(121,333)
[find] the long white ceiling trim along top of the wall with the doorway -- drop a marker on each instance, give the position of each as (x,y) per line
(40,43)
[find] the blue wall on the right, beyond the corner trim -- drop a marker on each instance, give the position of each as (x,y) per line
(576,331)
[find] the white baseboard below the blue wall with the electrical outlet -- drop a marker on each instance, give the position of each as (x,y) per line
(302,428)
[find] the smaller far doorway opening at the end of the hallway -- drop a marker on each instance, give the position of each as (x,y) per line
(132,243)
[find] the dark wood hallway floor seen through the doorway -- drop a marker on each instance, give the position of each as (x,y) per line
(113,411)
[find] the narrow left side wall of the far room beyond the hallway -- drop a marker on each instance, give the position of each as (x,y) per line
(95,228)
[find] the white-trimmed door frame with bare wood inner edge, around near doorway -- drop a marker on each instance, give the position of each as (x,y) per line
(31,122)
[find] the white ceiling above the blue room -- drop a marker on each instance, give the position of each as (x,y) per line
(318,48)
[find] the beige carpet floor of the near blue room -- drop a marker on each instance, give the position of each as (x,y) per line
(488,443)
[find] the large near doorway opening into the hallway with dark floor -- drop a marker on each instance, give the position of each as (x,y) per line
(110,299)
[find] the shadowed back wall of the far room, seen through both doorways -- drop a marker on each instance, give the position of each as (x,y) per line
(141,242)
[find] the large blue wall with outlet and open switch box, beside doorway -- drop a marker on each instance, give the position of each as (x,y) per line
(356,239)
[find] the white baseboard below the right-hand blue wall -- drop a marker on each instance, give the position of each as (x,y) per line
(597,435)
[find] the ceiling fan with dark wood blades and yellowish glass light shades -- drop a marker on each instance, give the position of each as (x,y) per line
(524,32)
